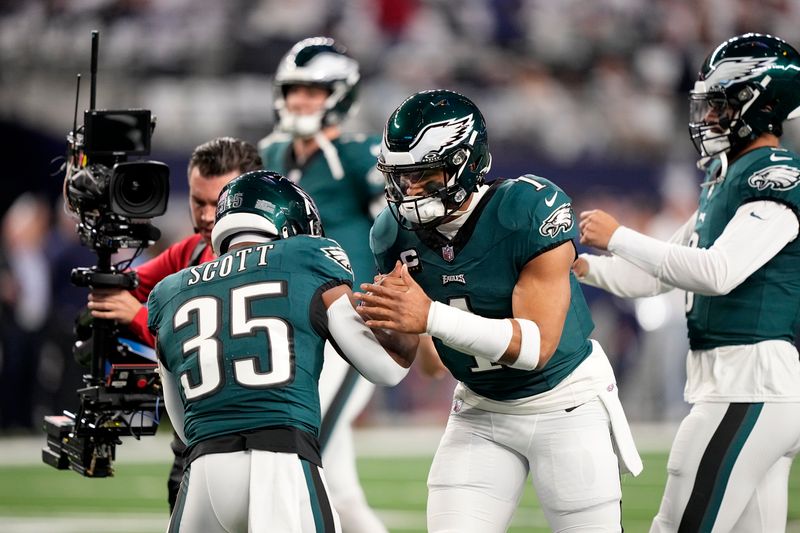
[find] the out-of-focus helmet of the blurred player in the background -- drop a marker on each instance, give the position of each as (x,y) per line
(317,61)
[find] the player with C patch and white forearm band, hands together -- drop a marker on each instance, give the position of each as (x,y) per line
(482,273)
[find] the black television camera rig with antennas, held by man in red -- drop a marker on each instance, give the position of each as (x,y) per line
(114,200)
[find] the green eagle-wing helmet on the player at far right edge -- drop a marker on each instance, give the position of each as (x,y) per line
(746,87)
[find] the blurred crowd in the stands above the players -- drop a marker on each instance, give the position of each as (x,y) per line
(574,78)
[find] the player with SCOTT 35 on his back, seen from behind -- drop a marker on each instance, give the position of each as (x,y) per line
(240,346)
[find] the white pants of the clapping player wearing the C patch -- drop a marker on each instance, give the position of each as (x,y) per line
(483,460)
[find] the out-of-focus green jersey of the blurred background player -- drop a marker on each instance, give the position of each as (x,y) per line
(343,203)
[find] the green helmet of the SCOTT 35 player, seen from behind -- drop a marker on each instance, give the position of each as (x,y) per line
(265,206)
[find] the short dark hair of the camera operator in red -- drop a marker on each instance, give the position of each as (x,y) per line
(223,155)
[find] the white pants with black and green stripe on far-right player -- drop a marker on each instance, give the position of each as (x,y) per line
(728,469)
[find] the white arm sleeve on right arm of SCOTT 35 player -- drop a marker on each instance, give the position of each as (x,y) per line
(360,345)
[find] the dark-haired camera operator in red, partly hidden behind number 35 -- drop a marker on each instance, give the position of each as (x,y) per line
(212,165)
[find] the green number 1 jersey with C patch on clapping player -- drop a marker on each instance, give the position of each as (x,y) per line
(515,221)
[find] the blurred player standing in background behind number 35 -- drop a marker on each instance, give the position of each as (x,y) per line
(315,89)
